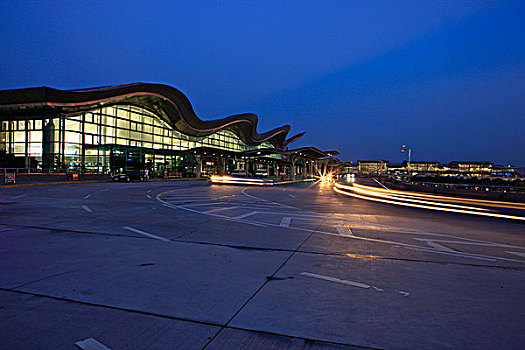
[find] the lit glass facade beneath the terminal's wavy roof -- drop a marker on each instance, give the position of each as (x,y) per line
(107,139)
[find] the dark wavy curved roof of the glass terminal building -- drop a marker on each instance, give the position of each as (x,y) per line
(168,103)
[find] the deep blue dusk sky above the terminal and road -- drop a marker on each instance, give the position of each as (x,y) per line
(446,78)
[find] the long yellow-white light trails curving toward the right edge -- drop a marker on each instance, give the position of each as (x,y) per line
(403,198)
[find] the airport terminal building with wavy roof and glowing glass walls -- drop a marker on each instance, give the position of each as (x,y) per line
(139,126)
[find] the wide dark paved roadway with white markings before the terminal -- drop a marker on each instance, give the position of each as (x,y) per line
(189,265)
